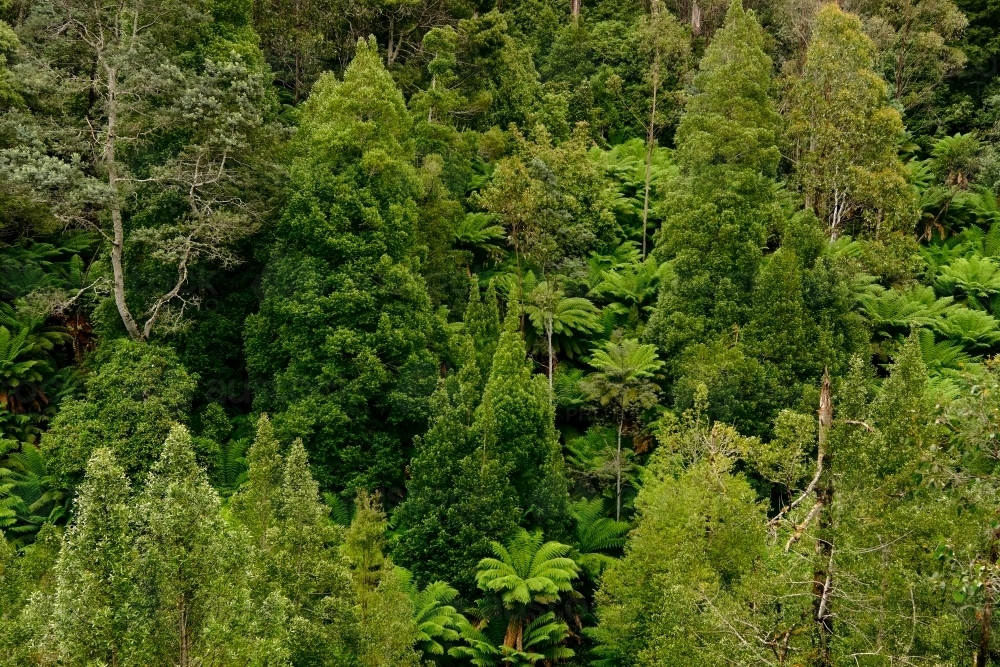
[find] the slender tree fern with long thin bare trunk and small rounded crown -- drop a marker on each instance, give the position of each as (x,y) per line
(623,383)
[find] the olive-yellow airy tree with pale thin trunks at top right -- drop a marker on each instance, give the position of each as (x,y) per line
(845,134)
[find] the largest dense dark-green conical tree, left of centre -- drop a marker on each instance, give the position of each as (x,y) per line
(341,343)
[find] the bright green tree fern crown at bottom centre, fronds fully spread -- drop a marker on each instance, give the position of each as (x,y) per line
(527,570)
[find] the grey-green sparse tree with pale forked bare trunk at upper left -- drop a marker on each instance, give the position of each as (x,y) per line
(155,65)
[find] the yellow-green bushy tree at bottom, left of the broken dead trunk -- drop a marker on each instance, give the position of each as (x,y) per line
(697,555)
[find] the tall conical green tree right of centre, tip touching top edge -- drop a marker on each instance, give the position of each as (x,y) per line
(718,214)
